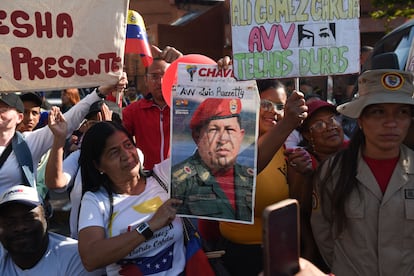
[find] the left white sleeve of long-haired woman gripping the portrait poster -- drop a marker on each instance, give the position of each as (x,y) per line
(92,211)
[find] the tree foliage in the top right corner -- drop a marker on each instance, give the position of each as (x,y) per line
(391,9)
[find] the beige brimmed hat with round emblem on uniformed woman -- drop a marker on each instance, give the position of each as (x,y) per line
(380,86)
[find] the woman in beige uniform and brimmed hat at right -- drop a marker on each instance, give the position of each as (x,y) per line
(363,218)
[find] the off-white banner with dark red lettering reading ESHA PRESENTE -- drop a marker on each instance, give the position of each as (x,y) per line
(55,44)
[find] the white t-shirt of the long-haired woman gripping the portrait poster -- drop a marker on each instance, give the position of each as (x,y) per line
(164,254)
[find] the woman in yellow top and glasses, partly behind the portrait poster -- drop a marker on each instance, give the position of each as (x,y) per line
(243,242)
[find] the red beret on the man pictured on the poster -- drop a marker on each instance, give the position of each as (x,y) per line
(214,109)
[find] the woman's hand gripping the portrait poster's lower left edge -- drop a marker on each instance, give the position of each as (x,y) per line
(165,214)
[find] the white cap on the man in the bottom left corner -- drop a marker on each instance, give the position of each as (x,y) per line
(21,194)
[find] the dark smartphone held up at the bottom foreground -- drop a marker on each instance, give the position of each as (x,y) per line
(281,238)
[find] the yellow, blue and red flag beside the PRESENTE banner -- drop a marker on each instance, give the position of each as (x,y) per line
(137,39)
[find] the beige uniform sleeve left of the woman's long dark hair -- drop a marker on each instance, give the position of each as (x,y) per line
(321,221)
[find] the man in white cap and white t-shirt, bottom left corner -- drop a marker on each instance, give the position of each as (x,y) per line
(28,248)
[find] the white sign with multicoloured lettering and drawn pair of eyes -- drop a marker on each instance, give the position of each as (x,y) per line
(288,38)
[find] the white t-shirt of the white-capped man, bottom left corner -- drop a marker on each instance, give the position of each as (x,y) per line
(60,258)
